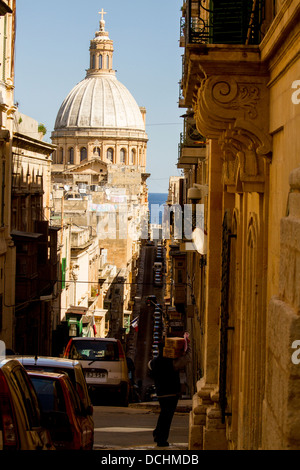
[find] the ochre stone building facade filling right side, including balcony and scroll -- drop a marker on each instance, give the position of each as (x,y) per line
(241,79)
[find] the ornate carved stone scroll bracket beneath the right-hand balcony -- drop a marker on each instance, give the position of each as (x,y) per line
(234,110)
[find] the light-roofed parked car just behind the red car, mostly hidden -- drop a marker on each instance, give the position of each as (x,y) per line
(71,367)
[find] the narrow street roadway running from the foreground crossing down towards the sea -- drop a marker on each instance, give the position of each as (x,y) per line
(119,428)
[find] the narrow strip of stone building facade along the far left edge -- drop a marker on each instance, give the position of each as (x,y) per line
(7,110)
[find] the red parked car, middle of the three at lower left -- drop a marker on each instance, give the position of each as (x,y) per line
(62,411)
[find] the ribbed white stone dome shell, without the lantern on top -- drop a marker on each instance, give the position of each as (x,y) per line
(100,101)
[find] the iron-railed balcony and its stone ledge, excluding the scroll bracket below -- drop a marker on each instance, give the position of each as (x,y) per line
(218,40)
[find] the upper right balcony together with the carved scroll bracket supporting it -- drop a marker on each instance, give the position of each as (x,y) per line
(225,82)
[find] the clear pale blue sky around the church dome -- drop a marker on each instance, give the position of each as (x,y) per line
(52,55)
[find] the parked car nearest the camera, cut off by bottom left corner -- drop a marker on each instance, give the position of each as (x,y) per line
(20,415)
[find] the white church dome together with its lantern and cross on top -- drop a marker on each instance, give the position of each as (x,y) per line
(100,101)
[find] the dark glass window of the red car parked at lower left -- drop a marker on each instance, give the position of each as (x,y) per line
(50,394)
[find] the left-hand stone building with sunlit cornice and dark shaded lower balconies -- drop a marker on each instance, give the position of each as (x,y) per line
(37,261)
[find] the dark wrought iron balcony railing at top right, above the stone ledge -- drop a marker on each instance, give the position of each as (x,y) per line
(224,22)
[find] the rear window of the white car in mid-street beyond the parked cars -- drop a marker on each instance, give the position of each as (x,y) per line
(95,350)
